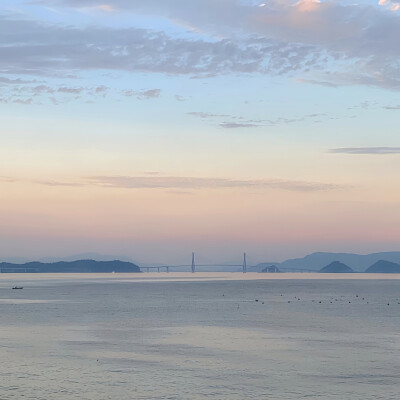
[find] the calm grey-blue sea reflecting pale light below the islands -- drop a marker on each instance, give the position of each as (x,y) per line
(200,336)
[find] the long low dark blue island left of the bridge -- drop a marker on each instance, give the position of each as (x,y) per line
(79,266)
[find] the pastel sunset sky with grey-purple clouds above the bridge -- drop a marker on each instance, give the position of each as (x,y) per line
(151,129)
